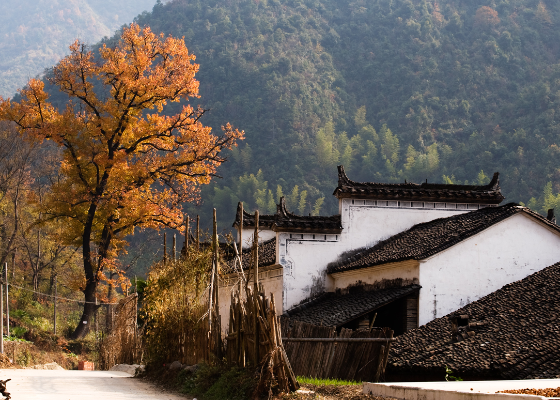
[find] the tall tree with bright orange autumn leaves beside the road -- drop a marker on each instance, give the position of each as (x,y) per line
(125,164)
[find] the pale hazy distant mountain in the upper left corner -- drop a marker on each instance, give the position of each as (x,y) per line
(36,33)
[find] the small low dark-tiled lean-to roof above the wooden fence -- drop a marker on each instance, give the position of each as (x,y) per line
(333,309)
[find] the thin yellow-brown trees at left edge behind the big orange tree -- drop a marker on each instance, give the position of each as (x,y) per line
(33,253)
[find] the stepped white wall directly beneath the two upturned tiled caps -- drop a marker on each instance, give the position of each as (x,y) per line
(365,222)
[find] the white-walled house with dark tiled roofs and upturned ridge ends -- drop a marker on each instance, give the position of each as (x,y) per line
(408,252)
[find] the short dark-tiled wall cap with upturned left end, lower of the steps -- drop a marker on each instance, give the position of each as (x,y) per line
(286,221)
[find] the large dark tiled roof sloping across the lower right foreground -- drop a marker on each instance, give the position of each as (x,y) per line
(513,333)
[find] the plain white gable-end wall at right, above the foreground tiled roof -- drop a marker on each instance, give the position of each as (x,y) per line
(504,253)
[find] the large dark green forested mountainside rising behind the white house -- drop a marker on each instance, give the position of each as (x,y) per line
(393,89)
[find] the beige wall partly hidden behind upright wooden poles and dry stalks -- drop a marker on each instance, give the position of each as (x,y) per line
(270,277)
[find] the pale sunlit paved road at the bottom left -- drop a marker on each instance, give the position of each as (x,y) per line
(32,384)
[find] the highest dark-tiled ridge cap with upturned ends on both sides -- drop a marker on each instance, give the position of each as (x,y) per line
(487,194)
